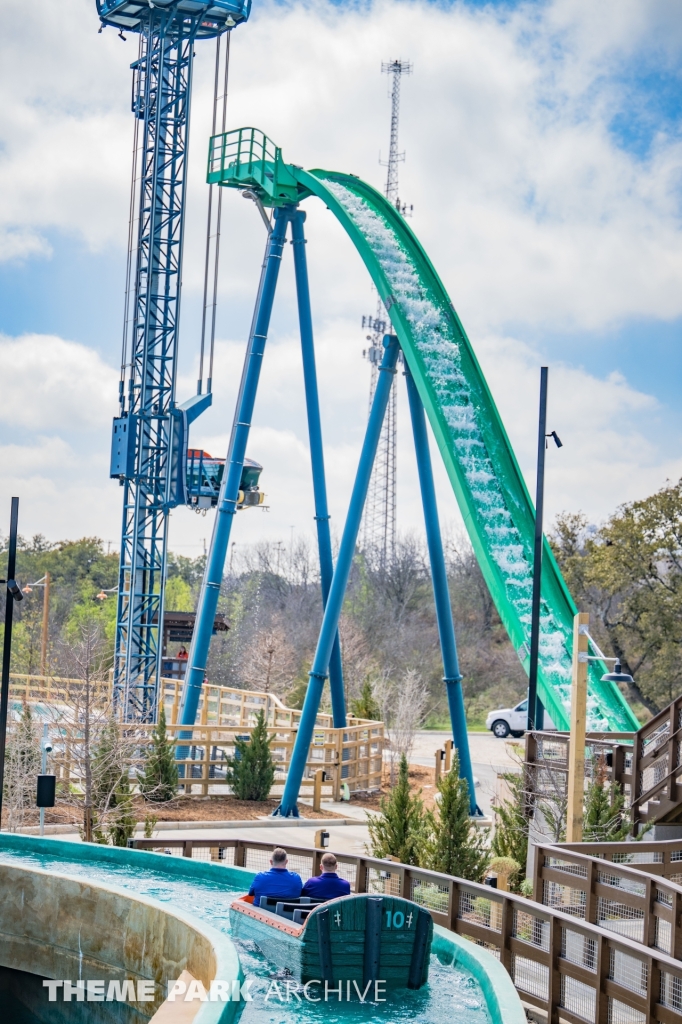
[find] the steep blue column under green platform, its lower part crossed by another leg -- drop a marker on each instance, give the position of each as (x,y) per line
(317,457)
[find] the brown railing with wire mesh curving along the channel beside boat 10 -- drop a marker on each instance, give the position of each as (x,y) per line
(572,970)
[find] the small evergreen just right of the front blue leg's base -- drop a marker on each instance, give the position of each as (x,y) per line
(399,831)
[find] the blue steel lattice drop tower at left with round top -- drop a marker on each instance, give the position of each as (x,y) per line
(150,440)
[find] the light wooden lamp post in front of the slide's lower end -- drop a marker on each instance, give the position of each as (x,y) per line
(578,728)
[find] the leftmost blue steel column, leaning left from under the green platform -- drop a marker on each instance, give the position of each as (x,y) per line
(227,509)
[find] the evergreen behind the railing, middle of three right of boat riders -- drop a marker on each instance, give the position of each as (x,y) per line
(457,846)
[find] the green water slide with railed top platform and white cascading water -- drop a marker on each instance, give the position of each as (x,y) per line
(483,470)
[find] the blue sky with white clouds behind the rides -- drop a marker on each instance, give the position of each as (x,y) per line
(543,159)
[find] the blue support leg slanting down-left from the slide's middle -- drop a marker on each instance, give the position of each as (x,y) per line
(337,592)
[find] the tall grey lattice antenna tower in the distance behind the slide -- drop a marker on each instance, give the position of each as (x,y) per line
(379,523)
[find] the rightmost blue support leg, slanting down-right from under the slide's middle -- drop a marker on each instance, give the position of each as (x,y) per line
(452,675)
